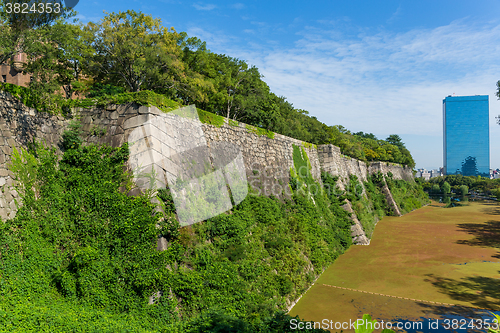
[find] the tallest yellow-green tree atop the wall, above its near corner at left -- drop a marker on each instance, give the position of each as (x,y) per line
(136,52)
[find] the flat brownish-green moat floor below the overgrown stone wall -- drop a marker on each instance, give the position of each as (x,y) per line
(433,254)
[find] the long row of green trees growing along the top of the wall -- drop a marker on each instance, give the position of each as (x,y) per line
(134,52)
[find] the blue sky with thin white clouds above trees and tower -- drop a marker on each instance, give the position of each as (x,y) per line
(374,66)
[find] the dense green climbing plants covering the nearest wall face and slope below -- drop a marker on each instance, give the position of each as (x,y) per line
(81,254)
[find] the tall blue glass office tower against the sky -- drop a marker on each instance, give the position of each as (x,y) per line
(466,136)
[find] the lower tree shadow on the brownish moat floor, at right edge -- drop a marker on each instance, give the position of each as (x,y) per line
(481,292)
